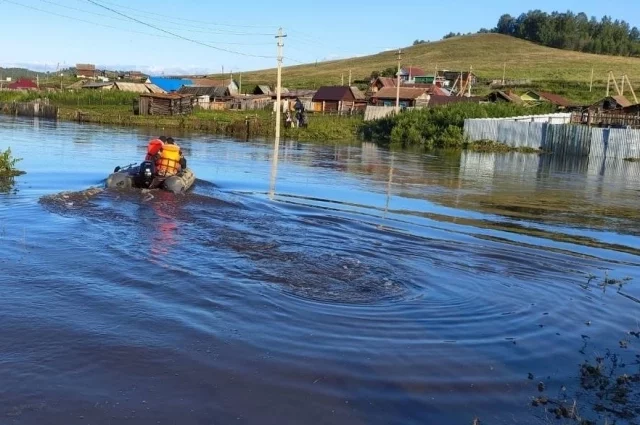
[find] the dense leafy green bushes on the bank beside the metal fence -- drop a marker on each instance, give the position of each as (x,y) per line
(441,127)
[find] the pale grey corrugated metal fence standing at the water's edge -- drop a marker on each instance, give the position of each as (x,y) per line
(552,133)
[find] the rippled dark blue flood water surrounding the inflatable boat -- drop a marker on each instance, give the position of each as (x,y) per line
(345,285)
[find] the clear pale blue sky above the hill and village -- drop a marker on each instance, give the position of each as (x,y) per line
(195,36)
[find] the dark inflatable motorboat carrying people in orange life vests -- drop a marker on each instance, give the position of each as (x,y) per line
(143,176)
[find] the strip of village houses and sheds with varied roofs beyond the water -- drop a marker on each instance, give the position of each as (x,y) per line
(161,95)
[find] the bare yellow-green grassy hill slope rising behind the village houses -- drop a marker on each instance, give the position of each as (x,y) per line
(487,53)
